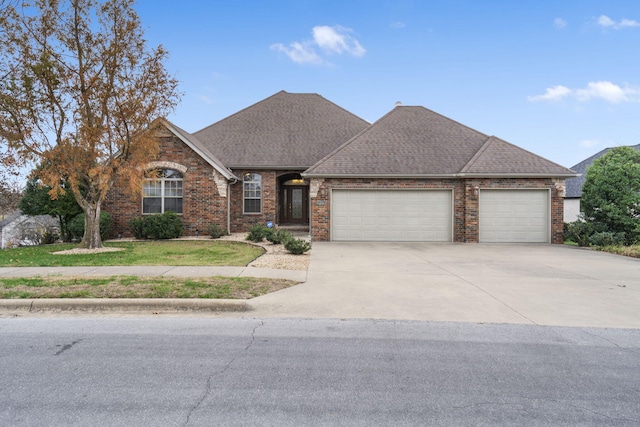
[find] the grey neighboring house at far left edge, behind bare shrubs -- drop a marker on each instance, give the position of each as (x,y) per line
(25,230)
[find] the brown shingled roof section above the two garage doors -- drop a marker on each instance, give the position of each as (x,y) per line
(417,142)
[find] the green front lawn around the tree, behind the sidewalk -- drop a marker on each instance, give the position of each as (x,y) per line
(167,252)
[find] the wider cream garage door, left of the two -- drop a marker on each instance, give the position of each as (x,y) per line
(391,215)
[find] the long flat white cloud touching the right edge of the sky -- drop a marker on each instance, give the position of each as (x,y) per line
(603,90)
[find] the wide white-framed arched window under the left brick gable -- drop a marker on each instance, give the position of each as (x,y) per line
(162,191)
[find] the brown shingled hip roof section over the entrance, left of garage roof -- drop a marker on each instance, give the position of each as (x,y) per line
(284,131)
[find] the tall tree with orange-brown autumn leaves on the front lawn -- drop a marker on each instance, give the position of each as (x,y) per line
(78,89)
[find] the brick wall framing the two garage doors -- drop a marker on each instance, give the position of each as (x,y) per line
(465,201)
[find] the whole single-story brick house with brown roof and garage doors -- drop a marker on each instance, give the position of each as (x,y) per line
(413,175)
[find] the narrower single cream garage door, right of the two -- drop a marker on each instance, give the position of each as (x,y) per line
(514,216)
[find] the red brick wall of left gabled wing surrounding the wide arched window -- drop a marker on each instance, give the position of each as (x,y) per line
(202,202)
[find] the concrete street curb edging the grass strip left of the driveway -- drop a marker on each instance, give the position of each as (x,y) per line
(122,305)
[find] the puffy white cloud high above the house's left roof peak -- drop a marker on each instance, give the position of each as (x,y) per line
(331,40)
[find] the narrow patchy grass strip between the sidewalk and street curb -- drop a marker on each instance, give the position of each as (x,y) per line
(138,287)
